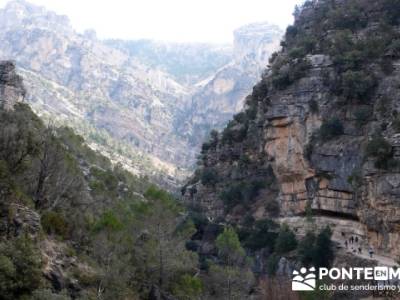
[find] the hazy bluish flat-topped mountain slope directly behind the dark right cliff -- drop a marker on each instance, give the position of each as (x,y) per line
(217,98)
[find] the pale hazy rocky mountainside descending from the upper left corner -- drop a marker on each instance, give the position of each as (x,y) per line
(76,78)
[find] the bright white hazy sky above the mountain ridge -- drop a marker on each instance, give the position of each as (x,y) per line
(171,20)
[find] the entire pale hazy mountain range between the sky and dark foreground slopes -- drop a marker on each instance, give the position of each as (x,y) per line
(135,101)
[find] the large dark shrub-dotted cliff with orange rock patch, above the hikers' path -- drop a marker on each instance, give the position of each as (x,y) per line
(319,131)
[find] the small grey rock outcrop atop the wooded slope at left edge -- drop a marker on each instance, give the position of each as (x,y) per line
(11,87)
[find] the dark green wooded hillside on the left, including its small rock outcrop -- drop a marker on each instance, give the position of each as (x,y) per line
(72,225)
